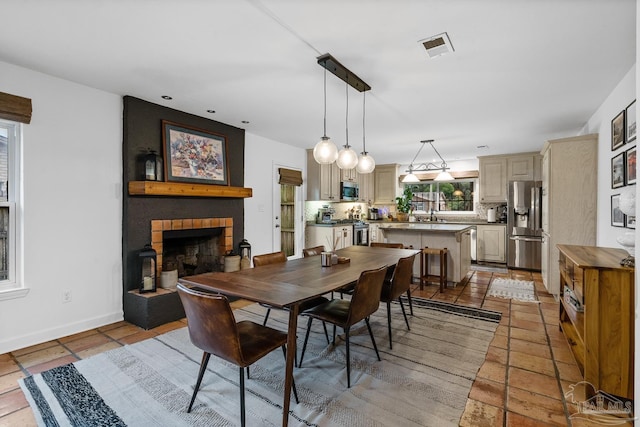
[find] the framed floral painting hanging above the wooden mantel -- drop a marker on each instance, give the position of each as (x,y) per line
(194,155)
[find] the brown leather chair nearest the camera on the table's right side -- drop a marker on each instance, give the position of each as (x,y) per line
(345,313)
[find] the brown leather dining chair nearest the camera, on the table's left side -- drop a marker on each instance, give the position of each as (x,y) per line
(213,329)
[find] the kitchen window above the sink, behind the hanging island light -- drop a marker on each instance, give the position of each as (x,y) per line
(456,196)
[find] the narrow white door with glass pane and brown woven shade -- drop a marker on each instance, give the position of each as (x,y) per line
(288,230)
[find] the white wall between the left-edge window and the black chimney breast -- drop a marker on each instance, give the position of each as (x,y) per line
(72,210)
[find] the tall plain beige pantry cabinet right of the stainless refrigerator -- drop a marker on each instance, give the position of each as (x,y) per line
(569,199)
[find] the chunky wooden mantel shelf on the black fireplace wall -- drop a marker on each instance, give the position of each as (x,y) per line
(176,189)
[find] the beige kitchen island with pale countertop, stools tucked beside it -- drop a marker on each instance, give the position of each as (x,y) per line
(455,237)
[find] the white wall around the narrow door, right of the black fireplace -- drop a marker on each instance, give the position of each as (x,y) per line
(261,157)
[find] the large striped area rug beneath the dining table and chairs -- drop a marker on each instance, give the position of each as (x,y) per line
(423,381)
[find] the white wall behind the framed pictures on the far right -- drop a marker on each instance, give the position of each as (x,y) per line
(600,123)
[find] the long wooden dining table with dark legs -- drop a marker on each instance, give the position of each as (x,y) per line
(288,284)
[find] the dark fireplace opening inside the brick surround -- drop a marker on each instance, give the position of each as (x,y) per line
(193,251)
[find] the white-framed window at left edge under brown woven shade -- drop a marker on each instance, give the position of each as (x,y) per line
(10,137)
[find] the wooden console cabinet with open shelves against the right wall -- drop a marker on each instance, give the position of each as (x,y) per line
(601,333)
